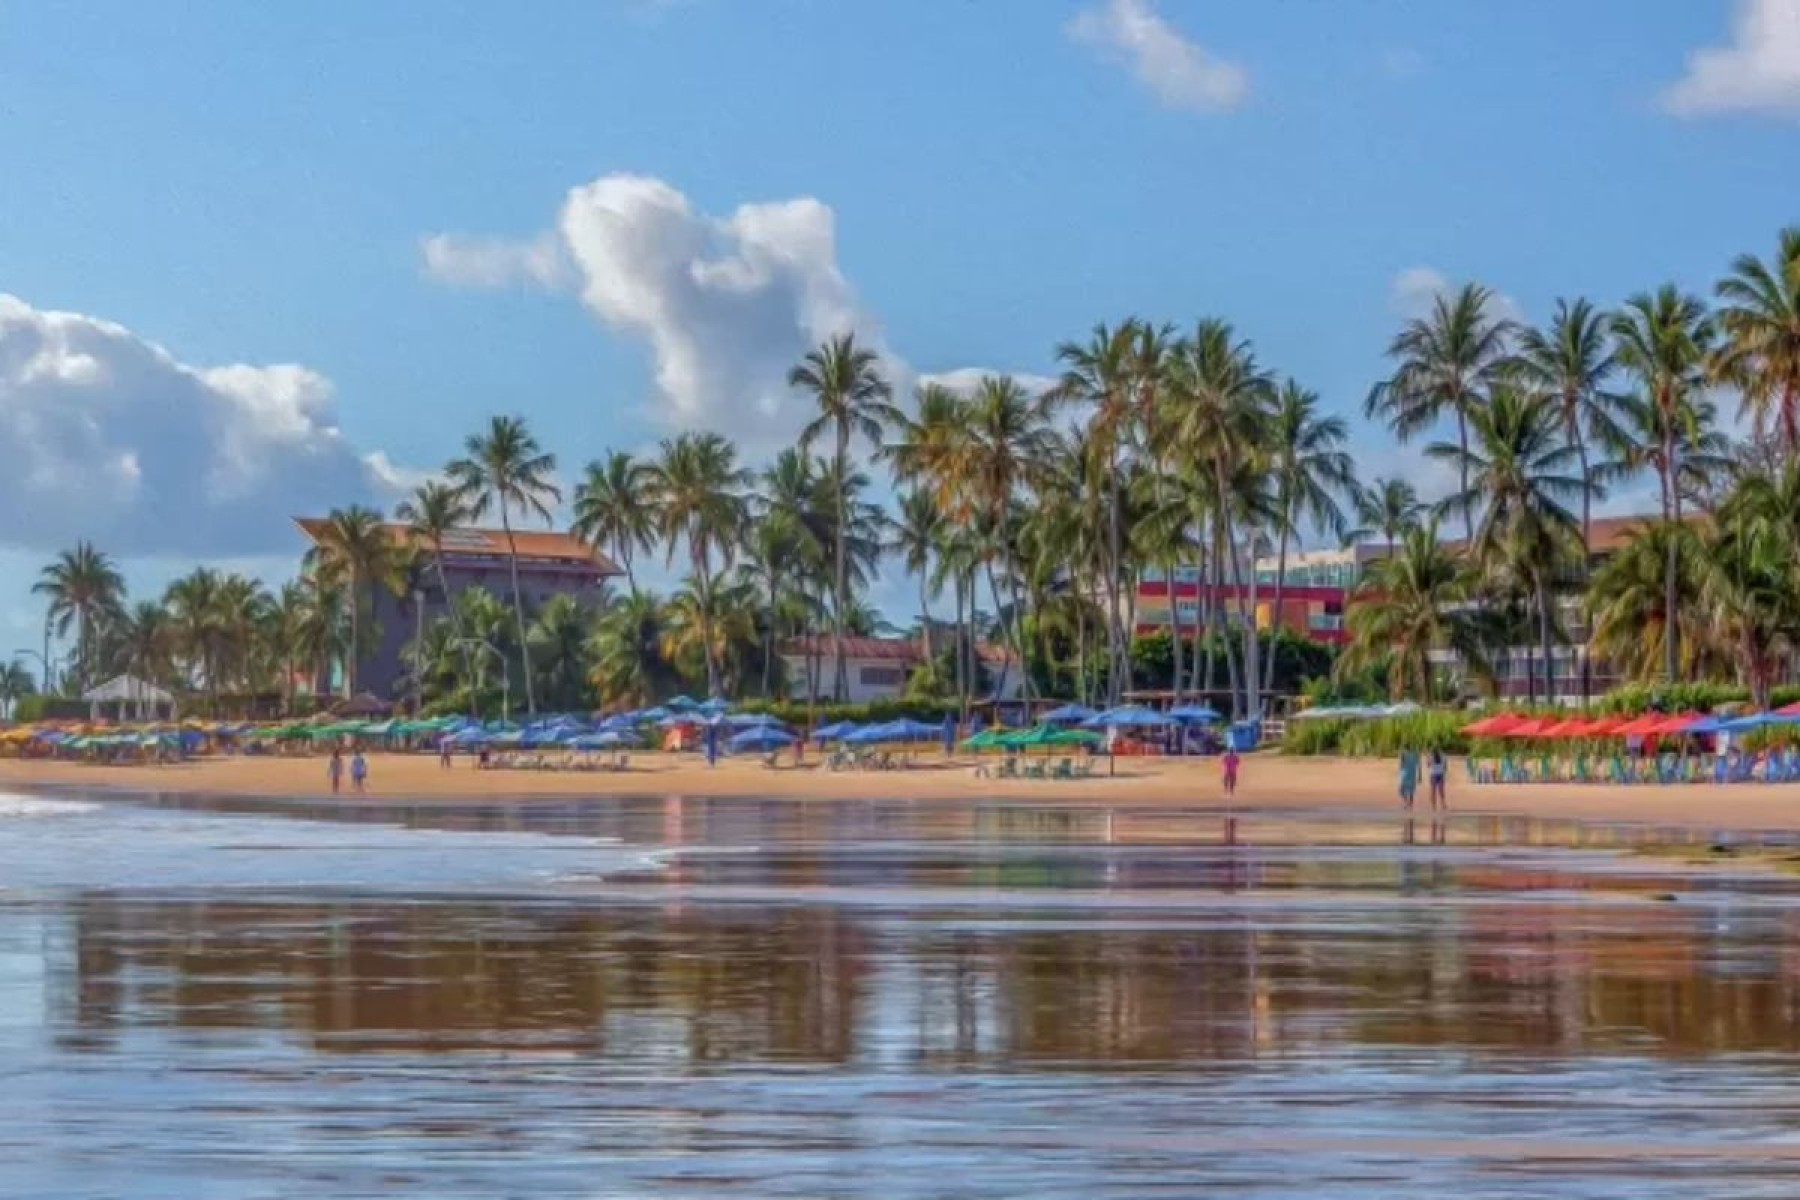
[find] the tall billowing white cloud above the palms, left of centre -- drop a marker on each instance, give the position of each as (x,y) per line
(726,305)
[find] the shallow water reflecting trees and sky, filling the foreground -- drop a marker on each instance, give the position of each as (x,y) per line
(881,999)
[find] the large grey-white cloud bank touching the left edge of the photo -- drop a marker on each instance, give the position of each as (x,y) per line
(111,438)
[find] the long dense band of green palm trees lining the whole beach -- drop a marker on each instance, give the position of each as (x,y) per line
(1027,519)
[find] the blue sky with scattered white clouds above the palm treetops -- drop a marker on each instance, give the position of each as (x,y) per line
(967,183)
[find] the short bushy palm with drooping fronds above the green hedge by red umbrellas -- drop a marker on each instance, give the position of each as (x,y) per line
(1410,605)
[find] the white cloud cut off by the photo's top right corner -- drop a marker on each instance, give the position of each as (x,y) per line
(1759,71)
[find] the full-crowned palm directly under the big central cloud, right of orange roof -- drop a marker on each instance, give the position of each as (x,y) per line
(699,494)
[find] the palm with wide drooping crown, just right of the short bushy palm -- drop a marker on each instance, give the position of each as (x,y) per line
(1522,476)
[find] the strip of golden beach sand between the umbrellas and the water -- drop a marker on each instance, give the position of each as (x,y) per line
(1272,784)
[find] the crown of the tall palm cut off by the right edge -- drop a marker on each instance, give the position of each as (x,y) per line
(1759,314)
